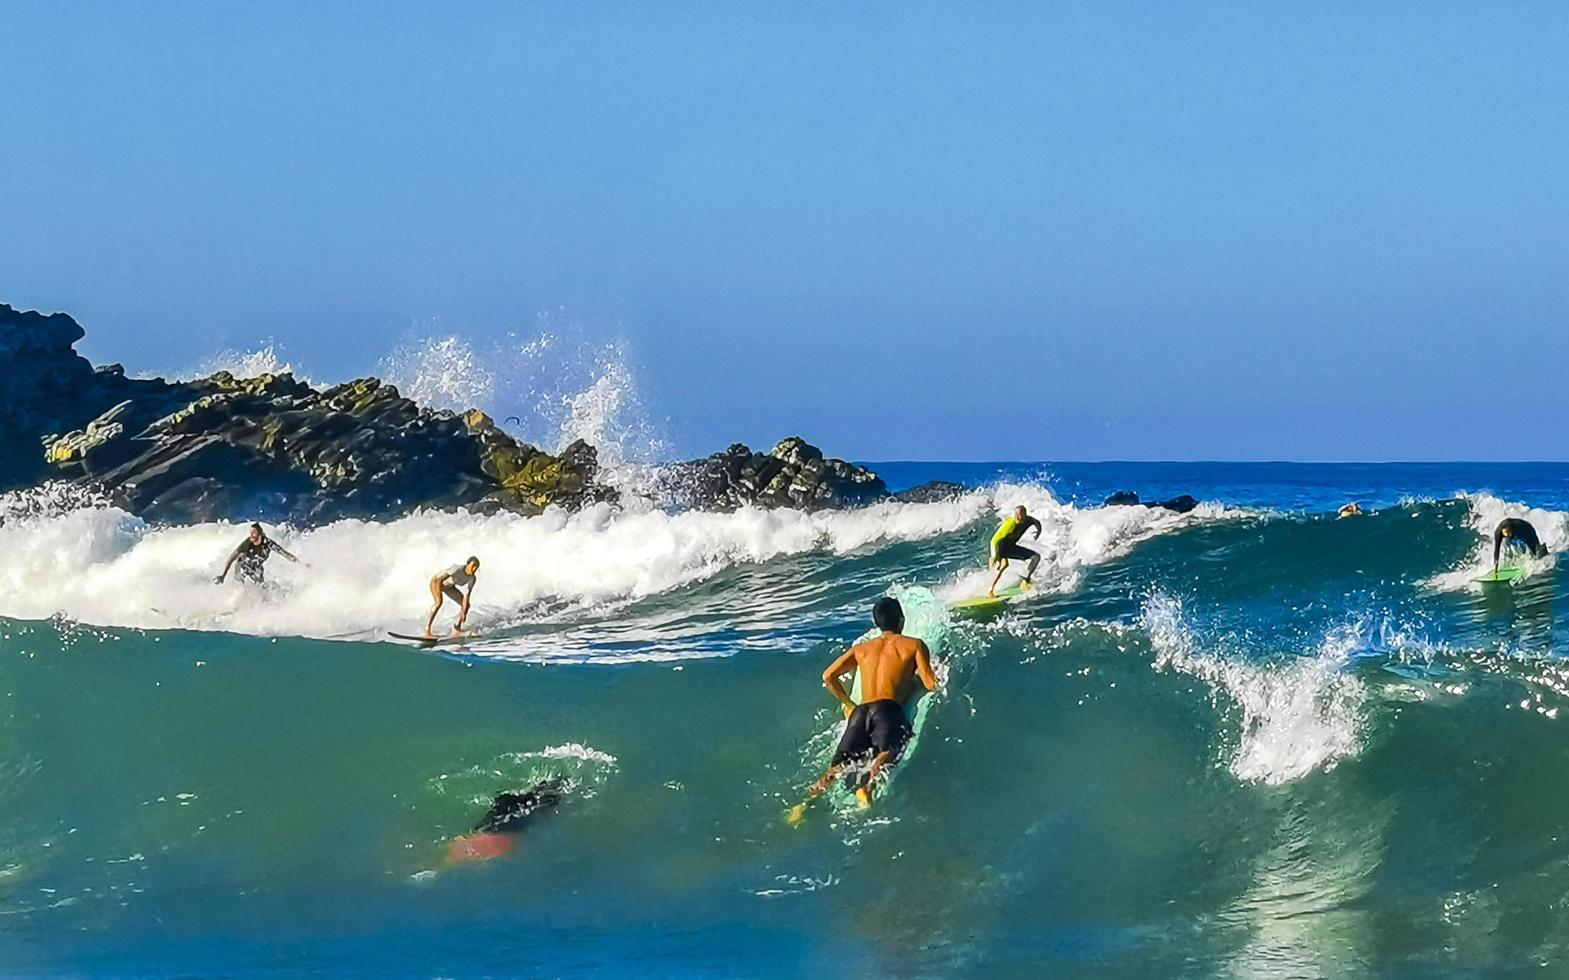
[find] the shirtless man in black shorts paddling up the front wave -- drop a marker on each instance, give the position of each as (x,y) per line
(878,727)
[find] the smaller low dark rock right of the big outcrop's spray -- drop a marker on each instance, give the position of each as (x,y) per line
(795,474)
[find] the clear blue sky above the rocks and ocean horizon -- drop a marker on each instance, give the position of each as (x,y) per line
(1317,231)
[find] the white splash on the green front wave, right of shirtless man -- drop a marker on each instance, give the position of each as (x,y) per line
(1297,717)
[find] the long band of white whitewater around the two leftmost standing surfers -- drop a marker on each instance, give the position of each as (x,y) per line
(357,578)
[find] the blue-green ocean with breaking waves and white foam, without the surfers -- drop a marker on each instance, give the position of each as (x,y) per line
(1251,741)
